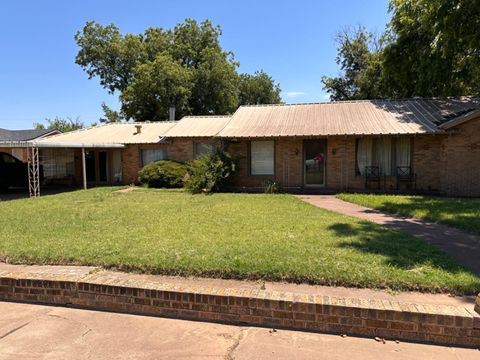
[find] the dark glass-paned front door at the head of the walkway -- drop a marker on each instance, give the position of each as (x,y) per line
(315,156)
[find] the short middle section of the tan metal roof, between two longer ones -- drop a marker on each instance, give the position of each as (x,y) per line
(198,126)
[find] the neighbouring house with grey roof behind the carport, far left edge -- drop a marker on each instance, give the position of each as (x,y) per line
(13,141)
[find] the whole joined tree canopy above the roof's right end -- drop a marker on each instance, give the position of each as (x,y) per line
(430,48)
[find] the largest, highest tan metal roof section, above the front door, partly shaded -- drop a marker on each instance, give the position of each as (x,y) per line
(367,117)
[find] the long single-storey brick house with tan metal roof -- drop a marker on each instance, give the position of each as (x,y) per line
(431,145)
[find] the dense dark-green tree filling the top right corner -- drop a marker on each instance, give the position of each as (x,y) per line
(435,49)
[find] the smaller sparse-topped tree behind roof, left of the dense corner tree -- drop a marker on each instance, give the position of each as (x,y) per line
(359,57)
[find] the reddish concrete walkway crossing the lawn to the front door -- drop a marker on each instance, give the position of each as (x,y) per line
(463,247)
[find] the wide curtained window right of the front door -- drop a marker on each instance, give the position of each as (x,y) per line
(386,153)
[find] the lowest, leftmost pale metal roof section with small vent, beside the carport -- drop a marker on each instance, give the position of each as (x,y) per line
(112,134)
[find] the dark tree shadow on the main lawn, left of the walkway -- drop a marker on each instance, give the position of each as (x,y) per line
(401,250)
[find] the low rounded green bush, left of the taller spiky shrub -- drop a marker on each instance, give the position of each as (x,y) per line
(163,173)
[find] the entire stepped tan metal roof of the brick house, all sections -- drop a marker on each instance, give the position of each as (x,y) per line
(365,117)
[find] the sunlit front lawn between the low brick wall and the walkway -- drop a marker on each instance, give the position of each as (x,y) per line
(243,236)
